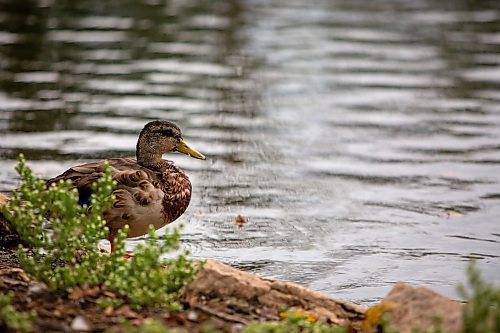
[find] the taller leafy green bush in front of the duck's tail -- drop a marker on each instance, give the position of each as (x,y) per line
(62,234)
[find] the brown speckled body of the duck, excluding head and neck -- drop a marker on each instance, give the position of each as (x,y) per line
(143,196)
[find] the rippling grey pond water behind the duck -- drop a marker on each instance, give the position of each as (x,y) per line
(360,139)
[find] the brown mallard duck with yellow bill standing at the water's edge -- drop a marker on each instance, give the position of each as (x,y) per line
(150,190)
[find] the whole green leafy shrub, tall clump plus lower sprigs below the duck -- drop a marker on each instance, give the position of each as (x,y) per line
(63,237)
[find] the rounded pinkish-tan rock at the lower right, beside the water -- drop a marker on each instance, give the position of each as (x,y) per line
(417,307)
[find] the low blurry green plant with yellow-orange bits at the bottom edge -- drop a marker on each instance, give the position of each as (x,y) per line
(293,322)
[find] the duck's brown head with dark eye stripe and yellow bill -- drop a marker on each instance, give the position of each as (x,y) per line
(160,137)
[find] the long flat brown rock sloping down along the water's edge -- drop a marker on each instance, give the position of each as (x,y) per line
(220,281)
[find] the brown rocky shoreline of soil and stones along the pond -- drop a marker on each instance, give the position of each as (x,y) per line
(224,296)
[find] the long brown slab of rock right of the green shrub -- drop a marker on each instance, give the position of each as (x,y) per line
(239,294)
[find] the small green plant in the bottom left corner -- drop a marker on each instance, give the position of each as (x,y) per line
(11,319)
